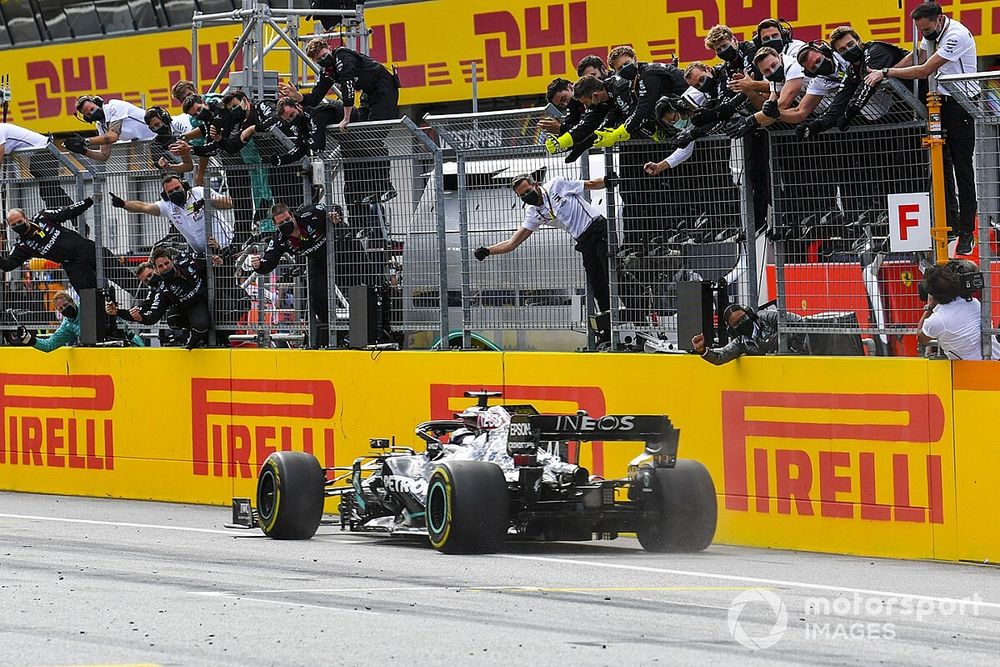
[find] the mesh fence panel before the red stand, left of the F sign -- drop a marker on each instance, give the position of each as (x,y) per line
(831,224)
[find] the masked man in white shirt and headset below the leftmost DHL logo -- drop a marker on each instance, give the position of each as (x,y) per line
(116,120)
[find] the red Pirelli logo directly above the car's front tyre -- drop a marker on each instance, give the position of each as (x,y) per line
(238,423)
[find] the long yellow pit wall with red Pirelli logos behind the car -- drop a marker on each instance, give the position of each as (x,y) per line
(882,457)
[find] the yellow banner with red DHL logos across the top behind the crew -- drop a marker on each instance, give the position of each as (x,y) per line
(518,46)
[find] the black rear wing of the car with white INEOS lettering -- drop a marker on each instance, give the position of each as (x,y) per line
(657,432)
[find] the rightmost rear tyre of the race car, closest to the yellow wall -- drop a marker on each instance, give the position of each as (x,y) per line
(685,508)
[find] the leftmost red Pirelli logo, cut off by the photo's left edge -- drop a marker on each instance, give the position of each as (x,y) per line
(43,422)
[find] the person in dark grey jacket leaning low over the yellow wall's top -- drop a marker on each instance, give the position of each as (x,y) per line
(752,333)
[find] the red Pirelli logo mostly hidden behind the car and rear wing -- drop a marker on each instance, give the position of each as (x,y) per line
(447,399)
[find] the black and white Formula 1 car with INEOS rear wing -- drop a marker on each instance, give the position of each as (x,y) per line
(496,472)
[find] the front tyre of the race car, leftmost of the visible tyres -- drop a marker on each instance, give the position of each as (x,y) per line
(290,495)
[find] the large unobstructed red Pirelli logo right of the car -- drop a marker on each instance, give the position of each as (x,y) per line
(799,474)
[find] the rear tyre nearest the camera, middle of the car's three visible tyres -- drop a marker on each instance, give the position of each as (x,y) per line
(468,508)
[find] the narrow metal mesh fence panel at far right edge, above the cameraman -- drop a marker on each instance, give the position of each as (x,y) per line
(979,94)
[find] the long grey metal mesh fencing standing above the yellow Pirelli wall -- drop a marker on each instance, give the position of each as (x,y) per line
(413,203)
